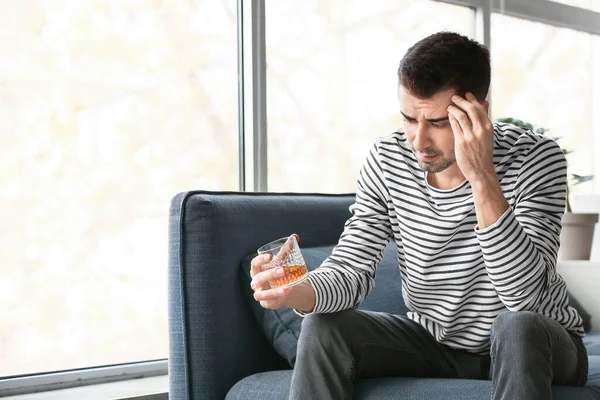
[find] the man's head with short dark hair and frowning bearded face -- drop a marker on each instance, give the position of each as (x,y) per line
(430,72)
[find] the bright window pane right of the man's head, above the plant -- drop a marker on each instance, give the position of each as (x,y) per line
(549,76)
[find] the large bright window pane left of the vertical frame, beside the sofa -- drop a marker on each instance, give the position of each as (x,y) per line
(108,108)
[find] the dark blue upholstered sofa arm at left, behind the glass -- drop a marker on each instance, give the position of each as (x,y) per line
(213,337)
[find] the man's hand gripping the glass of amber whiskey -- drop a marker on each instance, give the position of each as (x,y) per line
(301,296)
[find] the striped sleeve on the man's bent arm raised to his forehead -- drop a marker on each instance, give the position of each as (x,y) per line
(520,249)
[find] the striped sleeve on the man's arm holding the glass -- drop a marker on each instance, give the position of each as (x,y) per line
(345,278)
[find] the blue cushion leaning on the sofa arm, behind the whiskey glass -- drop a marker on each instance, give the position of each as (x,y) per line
(282,327)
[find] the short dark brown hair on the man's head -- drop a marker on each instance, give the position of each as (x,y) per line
(446,60)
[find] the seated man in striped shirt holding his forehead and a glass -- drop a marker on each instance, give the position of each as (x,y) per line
(475,210)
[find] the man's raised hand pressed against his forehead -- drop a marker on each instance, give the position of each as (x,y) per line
(473,138)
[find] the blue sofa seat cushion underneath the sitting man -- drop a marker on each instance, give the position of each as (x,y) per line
(275,385)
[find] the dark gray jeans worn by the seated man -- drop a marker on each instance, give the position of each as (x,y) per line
(529,352)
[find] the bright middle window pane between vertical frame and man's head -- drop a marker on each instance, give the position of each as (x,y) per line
(332,82)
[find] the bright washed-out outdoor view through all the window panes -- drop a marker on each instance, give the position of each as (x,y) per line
(109,108)
